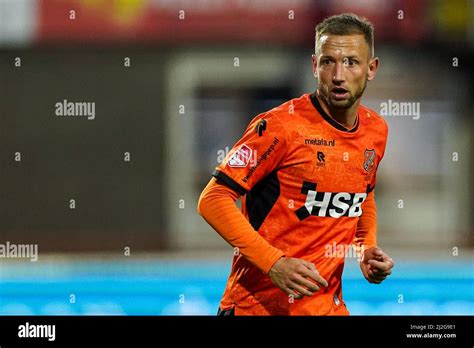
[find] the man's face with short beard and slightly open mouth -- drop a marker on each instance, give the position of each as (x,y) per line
(343,65)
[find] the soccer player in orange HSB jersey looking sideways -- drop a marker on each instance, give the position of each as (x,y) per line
(306,170)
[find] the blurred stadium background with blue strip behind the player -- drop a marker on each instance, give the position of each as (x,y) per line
(111,201)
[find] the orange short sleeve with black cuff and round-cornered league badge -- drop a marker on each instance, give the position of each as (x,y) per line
(259,152)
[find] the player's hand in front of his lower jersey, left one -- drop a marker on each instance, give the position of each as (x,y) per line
(296,277)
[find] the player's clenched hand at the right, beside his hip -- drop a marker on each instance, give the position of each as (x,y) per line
(376,265)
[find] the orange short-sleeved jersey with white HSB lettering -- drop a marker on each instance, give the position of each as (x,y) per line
(304,178)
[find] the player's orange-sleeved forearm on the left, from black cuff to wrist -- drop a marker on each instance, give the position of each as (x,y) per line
(217,206)
